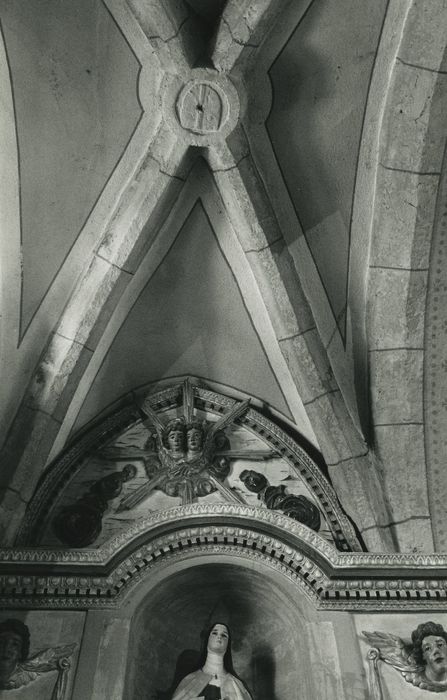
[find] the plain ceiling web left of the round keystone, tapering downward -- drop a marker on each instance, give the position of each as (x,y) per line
(74,82)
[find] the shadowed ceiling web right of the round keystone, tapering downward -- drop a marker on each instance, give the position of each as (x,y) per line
(320,86)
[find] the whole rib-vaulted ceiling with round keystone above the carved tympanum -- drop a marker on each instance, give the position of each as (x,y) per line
(250,192)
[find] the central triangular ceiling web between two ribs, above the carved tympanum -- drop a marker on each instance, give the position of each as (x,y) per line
(190,319)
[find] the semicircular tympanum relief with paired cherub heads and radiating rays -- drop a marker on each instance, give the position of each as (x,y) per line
(179,455)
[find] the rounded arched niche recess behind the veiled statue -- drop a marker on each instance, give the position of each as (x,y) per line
(272,630)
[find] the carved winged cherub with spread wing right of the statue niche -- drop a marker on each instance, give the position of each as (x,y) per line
(423,662)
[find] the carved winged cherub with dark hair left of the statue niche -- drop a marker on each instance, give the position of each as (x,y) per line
(17,670)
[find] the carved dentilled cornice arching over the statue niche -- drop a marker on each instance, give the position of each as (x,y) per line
(330,579)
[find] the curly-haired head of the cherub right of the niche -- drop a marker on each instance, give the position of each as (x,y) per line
(430,650)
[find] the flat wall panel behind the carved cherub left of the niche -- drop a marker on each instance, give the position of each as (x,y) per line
(48,629)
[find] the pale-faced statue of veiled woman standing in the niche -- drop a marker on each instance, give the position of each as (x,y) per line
(215,678)
